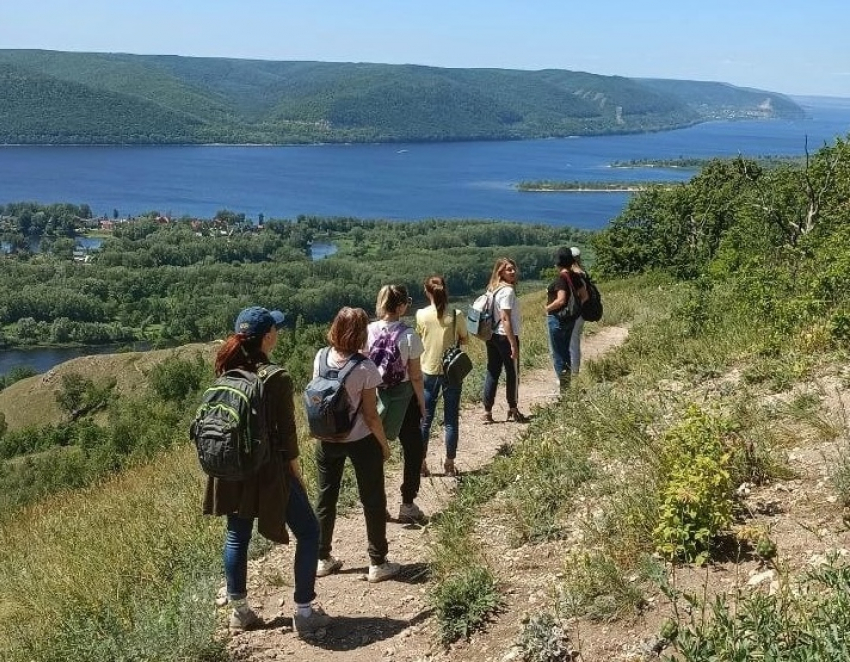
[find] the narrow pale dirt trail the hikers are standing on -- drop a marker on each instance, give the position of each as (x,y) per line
(390,620)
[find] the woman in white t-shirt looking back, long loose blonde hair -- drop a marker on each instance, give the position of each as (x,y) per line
(503,347)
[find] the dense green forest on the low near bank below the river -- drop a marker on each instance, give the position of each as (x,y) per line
(185,280)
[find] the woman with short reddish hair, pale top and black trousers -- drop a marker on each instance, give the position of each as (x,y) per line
(366,446)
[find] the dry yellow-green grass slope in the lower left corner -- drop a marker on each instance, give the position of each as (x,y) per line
(73,588)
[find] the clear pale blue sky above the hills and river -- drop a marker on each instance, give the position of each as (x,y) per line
(785,46)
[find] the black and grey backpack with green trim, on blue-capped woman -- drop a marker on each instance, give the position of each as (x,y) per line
(230,427)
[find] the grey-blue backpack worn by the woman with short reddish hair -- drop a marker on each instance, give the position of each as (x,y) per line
(326,399)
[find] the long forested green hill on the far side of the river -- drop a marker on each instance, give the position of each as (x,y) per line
(50,97)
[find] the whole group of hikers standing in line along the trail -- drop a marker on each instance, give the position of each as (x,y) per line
(394,377)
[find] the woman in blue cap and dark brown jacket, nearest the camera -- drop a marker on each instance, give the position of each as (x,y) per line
(275,496)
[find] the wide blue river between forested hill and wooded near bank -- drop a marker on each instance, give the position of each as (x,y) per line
(399,181)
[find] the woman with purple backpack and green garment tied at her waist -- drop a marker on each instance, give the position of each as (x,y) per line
(396,349)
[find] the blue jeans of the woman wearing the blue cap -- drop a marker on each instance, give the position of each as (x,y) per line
(305,528)
